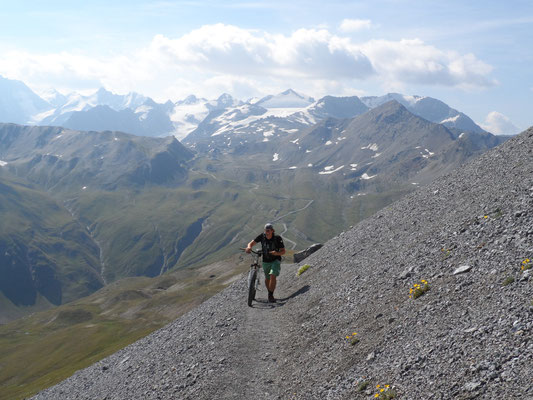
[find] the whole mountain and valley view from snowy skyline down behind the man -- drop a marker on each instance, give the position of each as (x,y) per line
(135,204)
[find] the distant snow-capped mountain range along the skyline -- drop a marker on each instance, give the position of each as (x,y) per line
(143,116)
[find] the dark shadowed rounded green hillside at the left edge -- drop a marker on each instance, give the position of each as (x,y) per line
(43,250)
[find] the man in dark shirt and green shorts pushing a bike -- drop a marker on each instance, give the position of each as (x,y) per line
(273,248)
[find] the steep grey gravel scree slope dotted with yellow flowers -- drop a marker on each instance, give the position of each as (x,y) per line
(469,336)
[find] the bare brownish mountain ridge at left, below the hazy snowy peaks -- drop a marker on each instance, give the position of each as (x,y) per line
(52,156)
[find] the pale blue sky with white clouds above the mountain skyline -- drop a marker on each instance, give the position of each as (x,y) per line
(476,56)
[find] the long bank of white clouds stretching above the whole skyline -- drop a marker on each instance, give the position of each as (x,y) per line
(243,61)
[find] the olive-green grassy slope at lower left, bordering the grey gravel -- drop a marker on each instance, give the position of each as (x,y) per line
(42,349)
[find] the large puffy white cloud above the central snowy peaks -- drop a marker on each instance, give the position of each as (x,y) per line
(232,50)
